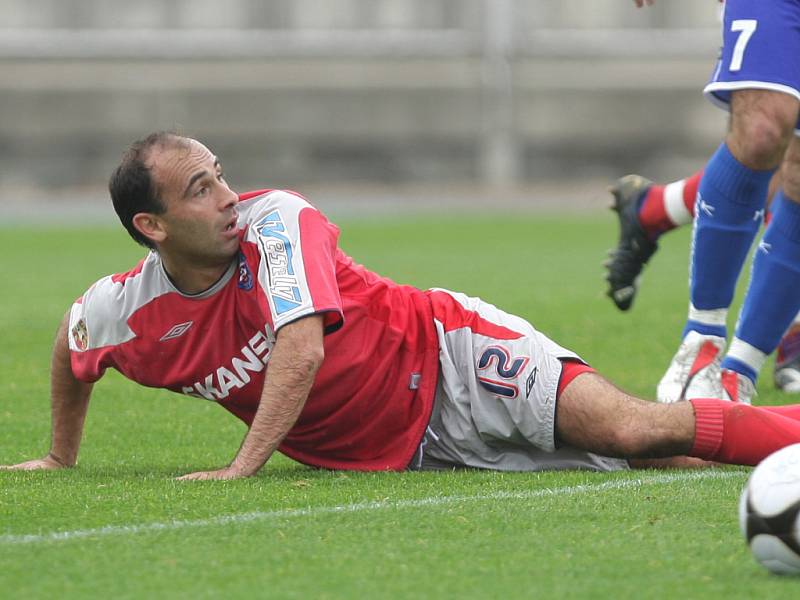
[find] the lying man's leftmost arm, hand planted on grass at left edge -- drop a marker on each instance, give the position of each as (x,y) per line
(69,399)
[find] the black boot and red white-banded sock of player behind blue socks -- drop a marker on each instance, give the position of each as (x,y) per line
(645,211)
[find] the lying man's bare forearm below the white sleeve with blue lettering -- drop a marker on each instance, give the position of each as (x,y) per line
(293,364)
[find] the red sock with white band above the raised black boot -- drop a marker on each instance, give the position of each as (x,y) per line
(665,207)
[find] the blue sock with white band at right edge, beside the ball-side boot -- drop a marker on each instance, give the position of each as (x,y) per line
(773,297)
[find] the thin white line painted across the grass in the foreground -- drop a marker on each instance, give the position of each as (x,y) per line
(117,530)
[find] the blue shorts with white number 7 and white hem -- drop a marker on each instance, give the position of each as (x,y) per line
(760,50)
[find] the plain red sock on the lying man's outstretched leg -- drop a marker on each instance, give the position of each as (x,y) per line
(735,433)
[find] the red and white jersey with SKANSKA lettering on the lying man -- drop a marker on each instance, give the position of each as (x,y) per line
(372,397)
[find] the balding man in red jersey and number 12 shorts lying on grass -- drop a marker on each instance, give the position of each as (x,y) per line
(246,300)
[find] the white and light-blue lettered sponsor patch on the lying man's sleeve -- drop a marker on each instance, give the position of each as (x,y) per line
(284,287)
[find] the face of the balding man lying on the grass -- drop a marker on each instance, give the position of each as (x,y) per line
(199,223)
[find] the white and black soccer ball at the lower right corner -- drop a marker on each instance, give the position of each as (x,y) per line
(769,511)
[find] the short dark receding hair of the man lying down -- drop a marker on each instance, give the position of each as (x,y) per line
(132,187)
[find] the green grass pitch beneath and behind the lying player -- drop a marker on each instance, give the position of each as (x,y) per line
(120,526)
